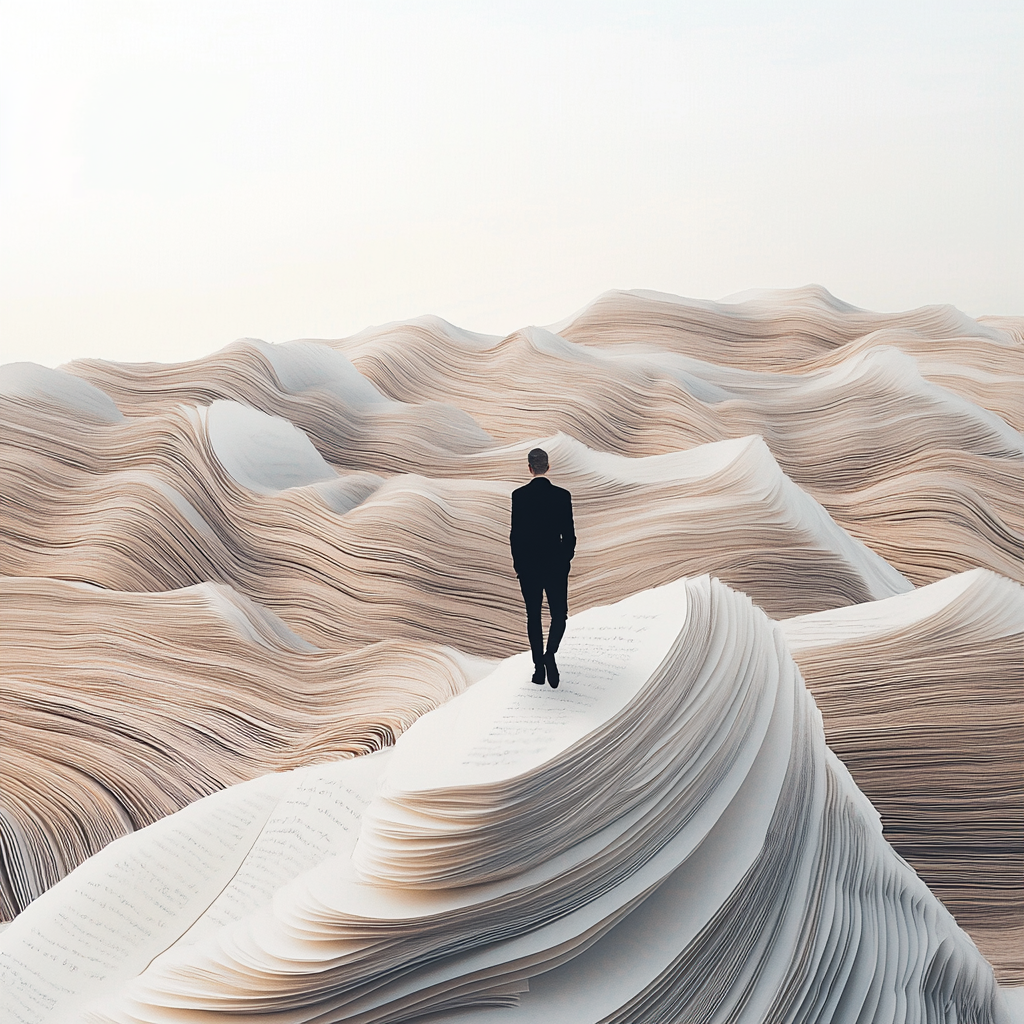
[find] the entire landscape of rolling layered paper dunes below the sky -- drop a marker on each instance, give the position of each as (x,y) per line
(227,583)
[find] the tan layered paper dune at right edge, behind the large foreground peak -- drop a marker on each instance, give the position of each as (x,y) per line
(921,696)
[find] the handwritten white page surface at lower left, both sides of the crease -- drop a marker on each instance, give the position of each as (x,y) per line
(193,873)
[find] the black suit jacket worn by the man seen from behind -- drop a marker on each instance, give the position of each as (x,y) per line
(543,538)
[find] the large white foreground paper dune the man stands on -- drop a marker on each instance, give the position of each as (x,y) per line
(667,837)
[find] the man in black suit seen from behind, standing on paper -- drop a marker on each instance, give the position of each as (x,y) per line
(543,544)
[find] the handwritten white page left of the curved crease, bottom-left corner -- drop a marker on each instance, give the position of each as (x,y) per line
(105,922)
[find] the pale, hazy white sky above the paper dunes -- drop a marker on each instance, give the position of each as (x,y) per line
(176,176)
